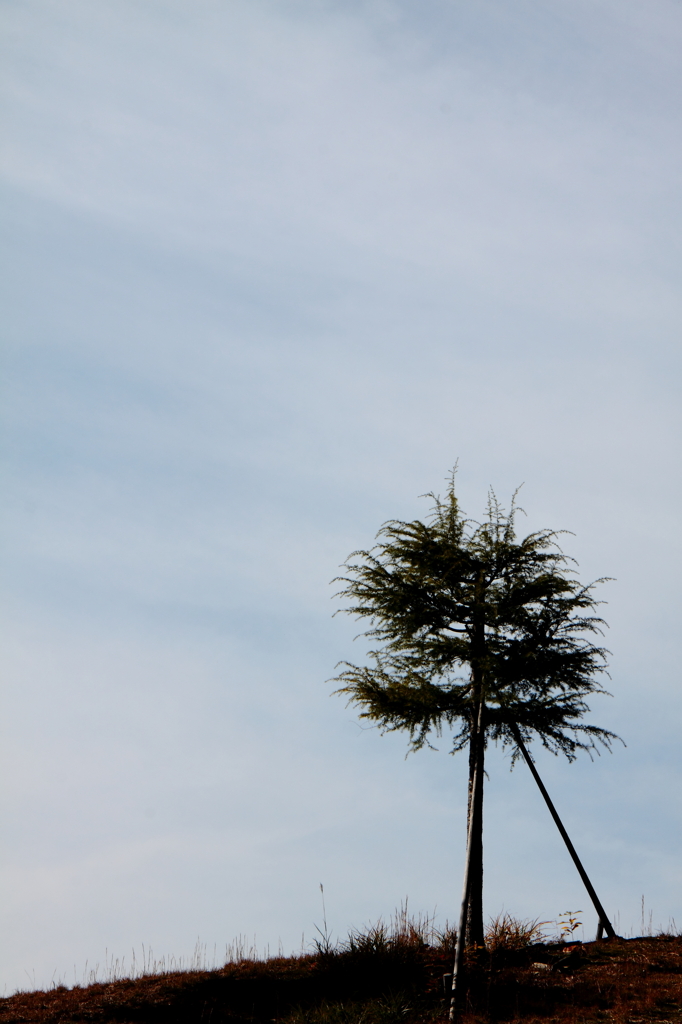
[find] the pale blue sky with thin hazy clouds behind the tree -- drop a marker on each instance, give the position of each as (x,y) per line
(271,270)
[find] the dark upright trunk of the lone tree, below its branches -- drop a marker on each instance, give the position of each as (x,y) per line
(475,929)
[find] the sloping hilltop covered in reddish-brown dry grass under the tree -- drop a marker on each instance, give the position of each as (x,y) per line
(393,974)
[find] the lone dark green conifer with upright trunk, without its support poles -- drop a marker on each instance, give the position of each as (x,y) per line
(452,596)
